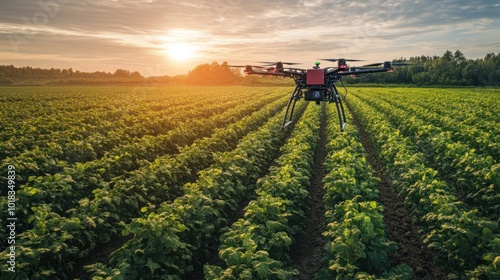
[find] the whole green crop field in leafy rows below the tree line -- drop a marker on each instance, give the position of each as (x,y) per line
(184,182)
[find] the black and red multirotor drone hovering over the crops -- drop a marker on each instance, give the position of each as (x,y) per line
(318,84)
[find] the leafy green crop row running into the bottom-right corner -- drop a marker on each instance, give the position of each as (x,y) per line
(465,243)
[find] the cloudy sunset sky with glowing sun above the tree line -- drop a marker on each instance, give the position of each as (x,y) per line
(172,37)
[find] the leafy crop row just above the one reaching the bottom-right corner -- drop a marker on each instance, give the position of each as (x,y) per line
(475,174)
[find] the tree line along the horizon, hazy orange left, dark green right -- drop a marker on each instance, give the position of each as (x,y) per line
(448,69)
